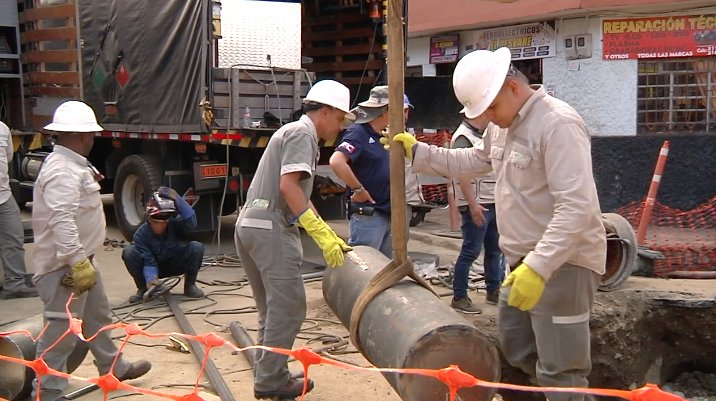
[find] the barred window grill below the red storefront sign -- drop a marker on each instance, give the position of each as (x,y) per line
(676,96)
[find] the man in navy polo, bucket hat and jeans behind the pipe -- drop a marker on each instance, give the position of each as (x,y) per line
(362,163)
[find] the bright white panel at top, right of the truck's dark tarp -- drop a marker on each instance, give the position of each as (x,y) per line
(251,30)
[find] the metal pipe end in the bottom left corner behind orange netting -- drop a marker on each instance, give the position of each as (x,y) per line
(16,379)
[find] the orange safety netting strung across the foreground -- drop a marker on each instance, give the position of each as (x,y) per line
(451,376)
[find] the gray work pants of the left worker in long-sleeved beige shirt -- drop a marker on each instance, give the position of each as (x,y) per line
(93,308)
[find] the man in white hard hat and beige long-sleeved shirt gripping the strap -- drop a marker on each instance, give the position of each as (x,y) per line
(549,219)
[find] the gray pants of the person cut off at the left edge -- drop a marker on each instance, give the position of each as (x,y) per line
(12,251)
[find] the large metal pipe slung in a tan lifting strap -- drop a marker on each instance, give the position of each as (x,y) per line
(406,326)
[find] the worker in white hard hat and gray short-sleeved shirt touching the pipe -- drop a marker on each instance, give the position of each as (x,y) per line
(267,236)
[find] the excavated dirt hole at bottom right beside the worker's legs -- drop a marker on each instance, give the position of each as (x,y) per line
(646,336)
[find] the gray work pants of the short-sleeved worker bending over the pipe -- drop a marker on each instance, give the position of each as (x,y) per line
(272,257)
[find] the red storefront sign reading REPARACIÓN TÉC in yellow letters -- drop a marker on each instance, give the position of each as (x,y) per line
(659,37)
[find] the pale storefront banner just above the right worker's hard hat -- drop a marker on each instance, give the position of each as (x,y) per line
(526,41)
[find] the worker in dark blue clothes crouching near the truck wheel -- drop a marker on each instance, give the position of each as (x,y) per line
(161,247)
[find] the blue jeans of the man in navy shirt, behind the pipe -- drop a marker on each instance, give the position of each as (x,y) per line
(373,231)
